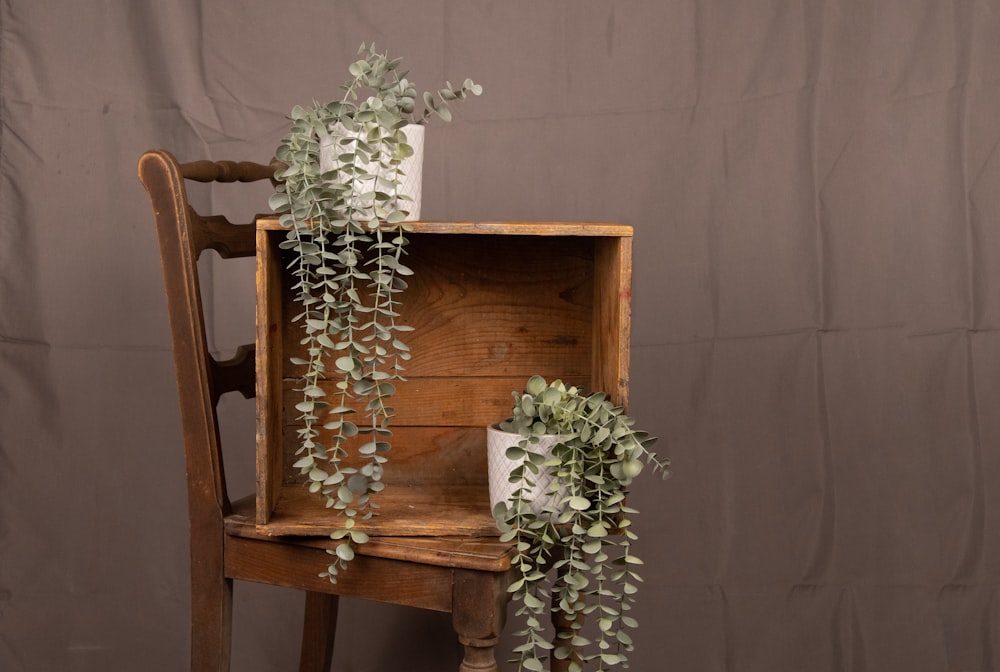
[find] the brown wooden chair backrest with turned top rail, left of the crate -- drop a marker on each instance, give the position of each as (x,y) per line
(201,379)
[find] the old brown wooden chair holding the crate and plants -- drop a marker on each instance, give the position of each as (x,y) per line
(466,576)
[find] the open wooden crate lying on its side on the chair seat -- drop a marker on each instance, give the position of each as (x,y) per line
(491,305)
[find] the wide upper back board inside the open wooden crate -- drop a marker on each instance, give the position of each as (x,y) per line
(484,307)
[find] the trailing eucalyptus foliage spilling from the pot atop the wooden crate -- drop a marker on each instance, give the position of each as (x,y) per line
(347,231)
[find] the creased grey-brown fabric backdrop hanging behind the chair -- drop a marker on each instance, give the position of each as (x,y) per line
(814,187)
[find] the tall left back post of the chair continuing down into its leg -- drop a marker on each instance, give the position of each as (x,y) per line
(200,381)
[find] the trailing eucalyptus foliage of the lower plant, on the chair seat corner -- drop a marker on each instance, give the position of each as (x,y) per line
(584,539)
